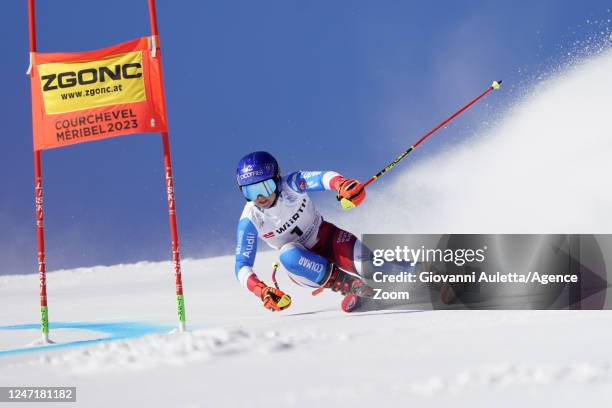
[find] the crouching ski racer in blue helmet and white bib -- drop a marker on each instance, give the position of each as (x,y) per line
(316,253)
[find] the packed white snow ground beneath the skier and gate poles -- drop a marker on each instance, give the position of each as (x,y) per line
(238,354)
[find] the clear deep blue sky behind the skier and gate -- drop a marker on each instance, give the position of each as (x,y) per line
(342,85)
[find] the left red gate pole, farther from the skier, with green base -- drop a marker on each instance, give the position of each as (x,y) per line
(42,272)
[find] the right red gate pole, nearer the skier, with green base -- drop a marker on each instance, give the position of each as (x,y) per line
(171,201)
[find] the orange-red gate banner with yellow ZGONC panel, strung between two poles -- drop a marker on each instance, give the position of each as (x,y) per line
(84,96)
